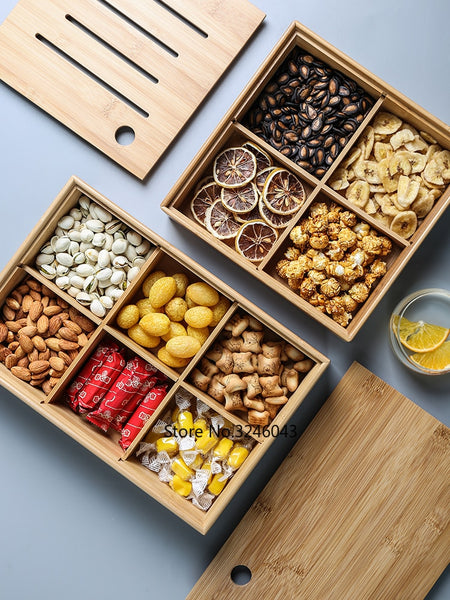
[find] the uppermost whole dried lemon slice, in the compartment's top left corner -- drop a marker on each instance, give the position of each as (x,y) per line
(234,167)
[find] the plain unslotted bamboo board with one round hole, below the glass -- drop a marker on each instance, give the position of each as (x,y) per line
(359,509)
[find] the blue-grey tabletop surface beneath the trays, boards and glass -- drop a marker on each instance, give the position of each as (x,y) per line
(71,527)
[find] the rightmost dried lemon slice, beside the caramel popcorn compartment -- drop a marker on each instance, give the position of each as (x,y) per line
(283,192)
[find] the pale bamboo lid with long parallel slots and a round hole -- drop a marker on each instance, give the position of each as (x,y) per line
(103,67)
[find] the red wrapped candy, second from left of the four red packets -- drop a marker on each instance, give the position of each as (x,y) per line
(102,380)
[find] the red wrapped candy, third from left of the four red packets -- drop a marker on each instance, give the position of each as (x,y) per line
(121,393)
